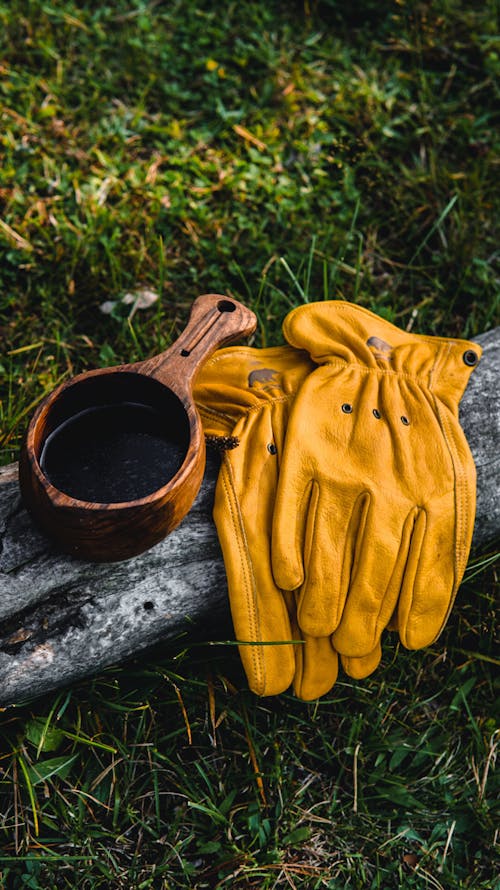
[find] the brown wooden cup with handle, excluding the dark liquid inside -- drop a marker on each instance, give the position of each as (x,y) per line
(109,531)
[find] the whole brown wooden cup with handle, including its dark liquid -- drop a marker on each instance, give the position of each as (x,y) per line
(97,416)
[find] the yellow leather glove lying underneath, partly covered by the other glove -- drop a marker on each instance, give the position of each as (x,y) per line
(246,393)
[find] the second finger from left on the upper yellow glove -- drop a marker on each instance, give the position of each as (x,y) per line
(328,555)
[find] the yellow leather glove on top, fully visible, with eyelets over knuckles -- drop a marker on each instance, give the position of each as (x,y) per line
(376,496)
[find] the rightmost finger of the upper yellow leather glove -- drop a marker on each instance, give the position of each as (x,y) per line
(430,580)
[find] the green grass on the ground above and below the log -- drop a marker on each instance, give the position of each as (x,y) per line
(276,152)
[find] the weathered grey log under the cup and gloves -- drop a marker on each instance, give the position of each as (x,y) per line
(63,619)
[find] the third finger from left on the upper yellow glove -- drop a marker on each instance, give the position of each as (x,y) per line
(375,583)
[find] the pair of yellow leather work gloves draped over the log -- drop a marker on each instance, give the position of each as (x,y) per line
(345,500)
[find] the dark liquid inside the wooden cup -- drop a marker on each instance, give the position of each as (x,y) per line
(112,453)
